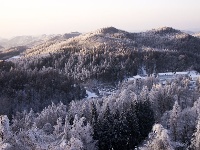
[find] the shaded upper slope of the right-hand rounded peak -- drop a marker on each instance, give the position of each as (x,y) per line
(169,39)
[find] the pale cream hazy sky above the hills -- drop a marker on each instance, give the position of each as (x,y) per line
(34,17)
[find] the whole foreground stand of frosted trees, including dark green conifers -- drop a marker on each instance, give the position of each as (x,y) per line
(119,121)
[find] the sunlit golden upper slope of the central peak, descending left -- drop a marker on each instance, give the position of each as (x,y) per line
(105,36)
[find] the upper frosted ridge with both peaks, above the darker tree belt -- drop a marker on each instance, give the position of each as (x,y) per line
(165,38)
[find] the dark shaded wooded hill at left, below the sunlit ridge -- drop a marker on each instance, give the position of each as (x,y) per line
(25,89)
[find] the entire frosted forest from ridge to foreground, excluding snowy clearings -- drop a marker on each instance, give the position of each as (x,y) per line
(42,93)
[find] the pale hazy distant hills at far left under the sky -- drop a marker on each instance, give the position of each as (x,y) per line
(19,44)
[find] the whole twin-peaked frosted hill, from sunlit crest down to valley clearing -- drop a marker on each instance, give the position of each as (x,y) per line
(118,53)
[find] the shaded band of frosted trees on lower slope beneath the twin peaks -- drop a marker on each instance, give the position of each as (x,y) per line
(110,64)
